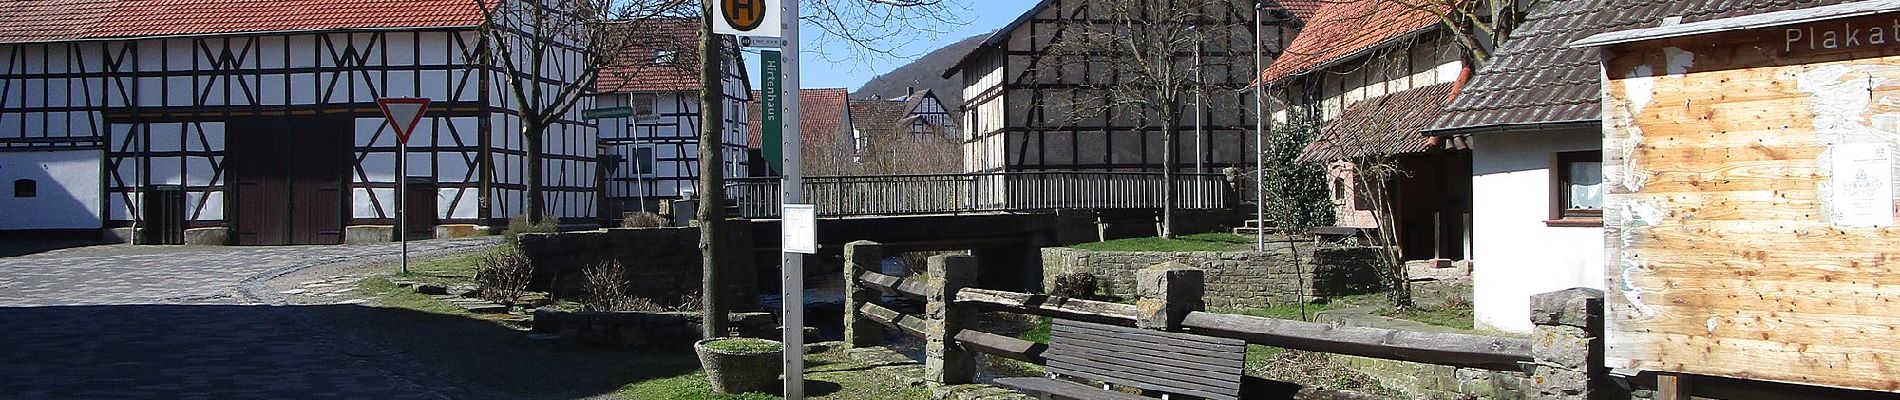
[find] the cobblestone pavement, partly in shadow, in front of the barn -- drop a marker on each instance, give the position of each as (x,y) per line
(181,323)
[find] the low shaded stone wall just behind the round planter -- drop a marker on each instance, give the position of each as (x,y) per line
(649,331)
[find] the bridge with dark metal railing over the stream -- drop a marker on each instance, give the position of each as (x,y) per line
(998,217)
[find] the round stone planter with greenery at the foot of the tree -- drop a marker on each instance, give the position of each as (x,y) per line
(738,365)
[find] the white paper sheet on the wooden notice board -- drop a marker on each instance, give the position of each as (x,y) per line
(1863,185)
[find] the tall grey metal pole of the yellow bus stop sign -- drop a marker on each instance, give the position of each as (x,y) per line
(793,187)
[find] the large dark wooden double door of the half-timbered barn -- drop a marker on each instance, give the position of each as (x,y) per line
(290,179)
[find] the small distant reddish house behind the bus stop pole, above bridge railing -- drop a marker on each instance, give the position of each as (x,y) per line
(826,132)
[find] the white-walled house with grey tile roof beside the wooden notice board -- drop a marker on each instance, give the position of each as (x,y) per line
(1534,122)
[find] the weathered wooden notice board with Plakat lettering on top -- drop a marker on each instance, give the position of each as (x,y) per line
(1751,198)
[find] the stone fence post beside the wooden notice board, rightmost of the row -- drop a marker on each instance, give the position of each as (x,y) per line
(1568,346)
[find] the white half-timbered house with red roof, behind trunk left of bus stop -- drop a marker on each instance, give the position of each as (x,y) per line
(655,155)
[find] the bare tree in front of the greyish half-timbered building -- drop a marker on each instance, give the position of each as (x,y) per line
(1149,69)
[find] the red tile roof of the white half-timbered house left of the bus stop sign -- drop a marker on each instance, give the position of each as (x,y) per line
(637,71)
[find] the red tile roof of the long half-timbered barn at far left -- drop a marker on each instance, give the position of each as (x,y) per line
(77,20)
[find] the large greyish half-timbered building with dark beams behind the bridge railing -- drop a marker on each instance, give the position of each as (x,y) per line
(1017,96)
